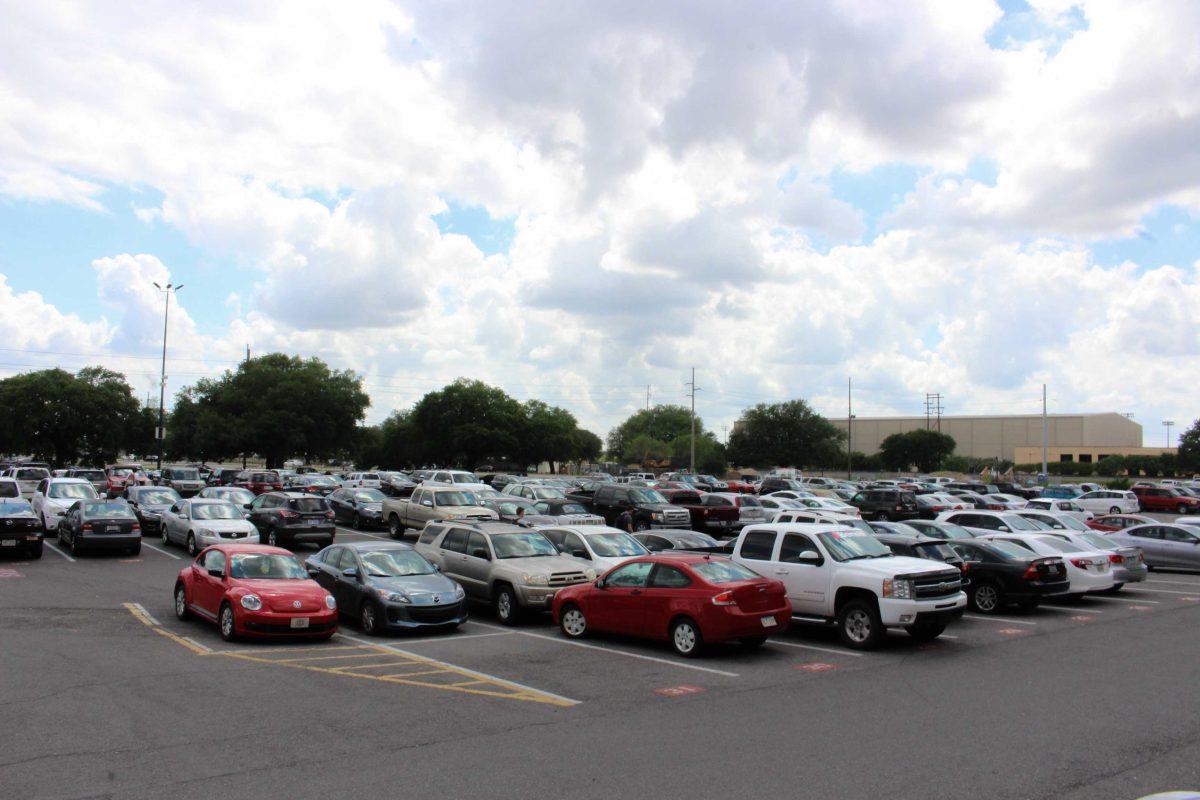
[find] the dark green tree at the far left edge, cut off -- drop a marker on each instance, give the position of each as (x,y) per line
(62,418)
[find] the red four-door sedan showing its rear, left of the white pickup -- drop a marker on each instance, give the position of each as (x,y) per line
(689,600)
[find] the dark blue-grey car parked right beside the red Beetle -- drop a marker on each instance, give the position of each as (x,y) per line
(388,587)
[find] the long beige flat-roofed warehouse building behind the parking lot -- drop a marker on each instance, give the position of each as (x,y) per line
(1070,437)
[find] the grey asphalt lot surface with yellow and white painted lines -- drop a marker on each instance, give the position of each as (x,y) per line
(106,694)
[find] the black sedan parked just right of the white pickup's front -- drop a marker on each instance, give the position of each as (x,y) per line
(1004,574)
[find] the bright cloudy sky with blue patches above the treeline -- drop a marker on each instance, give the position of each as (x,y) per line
(583,202)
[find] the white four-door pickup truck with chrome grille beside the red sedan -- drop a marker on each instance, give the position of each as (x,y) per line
(837,574)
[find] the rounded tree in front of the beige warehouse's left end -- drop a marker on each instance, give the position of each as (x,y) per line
(790,434)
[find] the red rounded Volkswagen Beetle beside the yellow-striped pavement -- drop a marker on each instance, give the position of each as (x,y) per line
(255,591)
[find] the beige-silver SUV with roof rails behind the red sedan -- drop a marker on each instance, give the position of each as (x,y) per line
(512,568)
